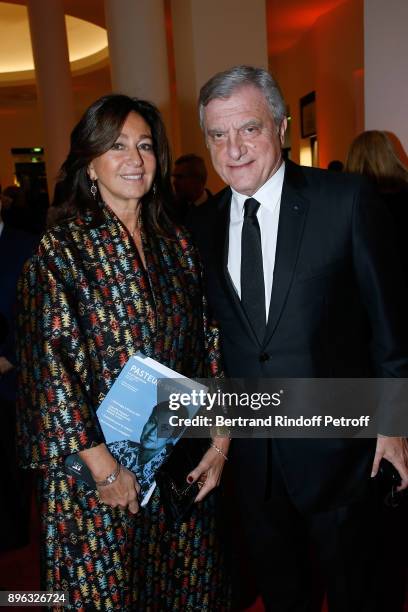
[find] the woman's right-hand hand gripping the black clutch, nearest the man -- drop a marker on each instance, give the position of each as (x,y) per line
(208,472)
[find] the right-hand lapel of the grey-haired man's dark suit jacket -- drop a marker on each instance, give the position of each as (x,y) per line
(293,211)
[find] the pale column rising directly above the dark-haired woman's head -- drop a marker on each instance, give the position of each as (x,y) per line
(137,50)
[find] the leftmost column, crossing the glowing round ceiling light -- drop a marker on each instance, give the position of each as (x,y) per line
(53,77)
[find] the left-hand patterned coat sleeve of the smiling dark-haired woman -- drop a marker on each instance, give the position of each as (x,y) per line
(55,409)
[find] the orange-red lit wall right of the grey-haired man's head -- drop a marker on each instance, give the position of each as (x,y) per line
(328,59)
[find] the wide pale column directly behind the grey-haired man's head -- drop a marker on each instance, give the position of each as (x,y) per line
(209,36)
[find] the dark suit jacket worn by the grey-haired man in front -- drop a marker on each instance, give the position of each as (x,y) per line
(337,310)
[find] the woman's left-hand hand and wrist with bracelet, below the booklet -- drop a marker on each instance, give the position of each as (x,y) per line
(121,493)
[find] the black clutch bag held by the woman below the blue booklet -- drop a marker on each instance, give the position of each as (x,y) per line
(177,495)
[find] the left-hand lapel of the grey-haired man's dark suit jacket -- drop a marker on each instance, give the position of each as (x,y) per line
(223,244)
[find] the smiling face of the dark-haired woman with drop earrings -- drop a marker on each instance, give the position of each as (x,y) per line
(126,172)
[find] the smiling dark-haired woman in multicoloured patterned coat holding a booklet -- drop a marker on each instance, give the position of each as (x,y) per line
(114,277)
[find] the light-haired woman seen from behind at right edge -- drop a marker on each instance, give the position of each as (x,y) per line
(371,153)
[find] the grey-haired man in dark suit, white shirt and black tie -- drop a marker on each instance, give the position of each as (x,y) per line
(303,284)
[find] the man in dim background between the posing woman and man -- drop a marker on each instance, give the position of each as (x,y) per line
(189,179)
